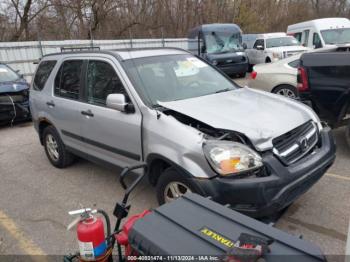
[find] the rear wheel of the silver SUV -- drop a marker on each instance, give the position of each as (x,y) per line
(55,149)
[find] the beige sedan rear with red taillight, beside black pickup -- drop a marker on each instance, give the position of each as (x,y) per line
(278,78)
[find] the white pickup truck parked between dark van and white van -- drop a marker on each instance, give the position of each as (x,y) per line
(267,48)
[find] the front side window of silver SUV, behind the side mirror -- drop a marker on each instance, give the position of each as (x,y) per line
(102,80)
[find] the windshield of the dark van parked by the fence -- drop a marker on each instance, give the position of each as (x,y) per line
(222,42)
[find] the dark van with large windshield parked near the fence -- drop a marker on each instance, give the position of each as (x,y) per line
(220,45)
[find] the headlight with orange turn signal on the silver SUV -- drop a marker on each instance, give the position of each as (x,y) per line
(231,157)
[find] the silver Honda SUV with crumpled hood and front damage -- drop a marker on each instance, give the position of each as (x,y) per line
(197,130)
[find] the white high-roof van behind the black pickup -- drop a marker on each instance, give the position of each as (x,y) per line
(325,32)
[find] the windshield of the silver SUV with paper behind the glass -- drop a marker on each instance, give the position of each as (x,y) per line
(174,77)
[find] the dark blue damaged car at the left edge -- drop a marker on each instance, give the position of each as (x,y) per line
(14,99)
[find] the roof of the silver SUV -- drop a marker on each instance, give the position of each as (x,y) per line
(122,54)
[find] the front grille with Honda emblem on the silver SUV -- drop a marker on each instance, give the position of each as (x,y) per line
(295,144)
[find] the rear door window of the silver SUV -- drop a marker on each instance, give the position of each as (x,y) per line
(68,79)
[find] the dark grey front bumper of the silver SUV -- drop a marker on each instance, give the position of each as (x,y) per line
(263,196)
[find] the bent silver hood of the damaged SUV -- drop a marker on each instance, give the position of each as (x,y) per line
(259,115)
